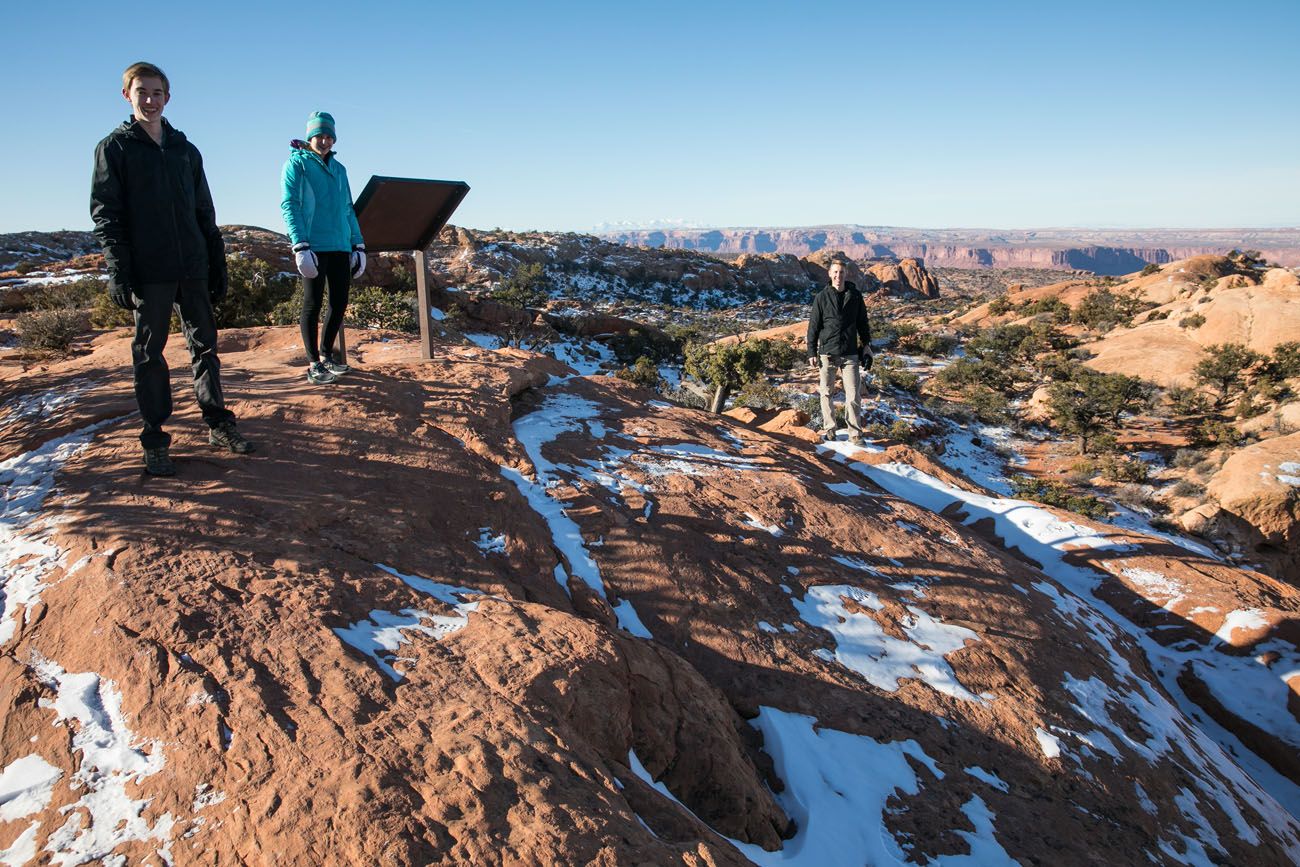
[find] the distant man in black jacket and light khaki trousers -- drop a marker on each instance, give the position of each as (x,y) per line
(840,340)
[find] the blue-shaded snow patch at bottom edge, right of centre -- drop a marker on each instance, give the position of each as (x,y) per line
(838,788)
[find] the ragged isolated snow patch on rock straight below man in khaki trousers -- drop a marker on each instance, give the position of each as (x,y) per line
(864,647)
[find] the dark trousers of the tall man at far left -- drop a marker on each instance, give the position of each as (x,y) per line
(153,379)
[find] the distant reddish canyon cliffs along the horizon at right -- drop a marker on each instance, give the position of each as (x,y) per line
(995,252)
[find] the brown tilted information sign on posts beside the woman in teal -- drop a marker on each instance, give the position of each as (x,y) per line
(400,215)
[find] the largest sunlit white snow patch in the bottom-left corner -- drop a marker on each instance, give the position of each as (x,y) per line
(112,758)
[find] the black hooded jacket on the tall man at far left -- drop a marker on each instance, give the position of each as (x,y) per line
(153,211)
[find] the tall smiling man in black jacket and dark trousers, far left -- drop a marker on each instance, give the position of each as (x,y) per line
(155,219)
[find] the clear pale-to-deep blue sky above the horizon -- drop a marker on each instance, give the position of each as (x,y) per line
(571,115)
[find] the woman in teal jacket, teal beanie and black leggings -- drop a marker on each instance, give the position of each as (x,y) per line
(328,246)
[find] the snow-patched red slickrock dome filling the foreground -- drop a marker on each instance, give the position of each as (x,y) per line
(480,612)
